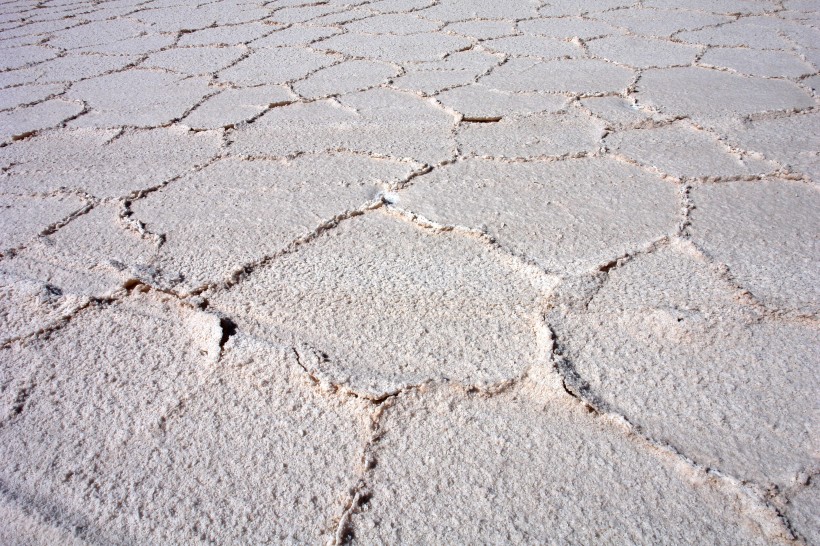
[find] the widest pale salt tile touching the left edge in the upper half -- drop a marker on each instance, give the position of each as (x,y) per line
(84,160)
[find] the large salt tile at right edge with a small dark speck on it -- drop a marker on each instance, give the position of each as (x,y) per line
(665,343)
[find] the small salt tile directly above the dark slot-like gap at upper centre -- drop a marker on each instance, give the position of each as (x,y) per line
(481,103)
